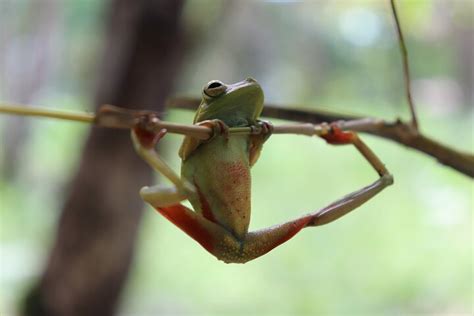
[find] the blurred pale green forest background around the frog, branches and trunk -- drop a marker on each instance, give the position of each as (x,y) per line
(408,251)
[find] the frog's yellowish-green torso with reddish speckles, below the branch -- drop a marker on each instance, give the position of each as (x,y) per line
(221,173)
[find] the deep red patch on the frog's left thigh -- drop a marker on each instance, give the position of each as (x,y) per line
(178,215)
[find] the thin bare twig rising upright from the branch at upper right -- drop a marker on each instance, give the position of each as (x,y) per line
(406,68)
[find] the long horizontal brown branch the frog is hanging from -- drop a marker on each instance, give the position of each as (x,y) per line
(398,131)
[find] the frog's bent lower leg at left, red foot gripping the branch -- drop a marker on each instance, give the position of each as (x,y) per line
(144,143)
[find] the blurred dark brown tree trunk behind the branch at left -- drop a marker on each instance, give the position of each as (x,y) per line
(99,223)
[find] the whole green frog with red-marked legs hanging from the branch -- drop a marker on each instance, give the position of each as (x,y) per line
(215,175)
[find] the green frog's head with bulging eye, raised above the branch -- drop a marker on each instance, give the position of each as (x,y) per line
(232,103)
